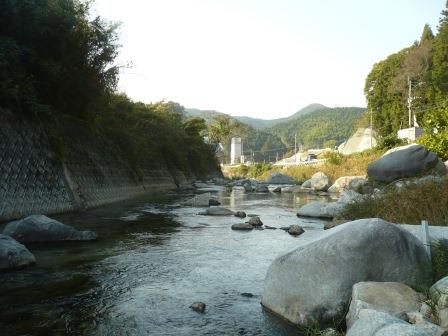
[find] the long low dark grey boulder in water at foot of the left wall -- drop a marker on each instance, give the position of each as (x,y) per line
(39,228)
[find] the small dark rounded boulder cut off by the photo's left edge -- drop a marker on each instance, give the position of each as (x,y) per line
(13,254)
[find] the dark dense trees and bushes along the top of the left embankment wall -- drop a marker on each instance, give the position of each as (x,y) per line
(57,62)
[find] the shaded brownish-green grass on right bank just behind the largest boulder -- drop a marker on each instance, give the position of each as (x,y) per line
(409,204)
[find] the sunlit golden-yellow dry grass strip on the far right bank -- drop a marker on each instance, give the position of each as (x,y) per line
(352,165)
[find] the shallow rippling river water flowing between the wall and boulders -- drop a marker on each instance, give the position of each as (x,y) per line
(152,260)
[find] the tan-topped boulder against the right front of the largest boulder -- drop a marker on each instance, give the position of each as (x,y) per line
(390,297)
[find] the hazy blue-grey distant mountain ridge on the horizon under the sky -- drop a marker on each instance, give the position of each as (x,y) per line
(257,123)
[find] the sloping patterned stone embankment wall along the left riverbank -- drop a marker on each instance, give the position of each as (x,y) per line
(38,177)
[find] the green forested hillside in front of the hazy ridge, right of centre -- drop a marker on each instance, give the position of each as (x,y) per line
(329,126)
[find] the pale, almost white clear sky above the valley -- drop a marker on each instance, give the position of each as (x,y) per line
(259,58)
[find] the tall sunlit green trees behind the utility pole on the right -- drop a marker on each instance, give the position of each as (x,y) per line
(421,69)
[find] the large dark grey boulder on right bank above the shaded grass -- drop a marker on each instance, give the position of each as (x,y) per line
(402,162)
